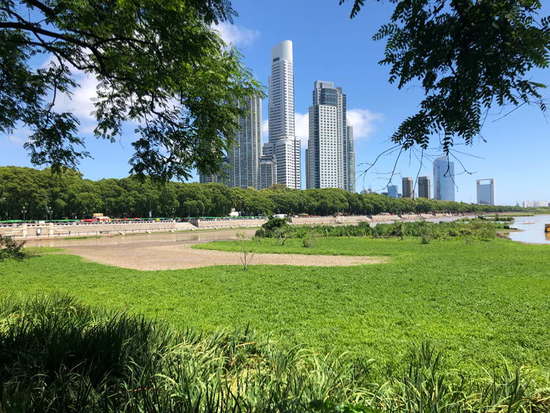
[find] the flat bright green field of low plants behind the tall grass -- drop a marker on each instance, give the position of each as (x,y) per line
(481,302)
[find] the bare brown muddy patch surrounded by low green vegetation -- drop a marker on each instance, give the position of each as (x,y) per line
(173,251)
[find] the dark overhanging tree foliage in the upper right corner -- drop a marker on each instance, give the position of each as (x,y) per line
(469,56)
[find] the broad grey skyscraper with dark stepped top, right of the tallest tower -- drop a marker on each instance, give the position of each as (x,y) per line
(327,137)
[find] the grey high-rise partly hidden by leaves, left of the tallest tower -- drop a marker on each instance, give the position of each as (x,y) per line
(244,156)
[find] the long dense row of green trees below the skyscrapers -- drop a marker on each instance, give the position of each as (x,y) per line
(27,193)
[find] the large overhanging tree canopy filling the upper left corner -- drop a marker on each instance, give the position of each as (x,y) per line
(159,64)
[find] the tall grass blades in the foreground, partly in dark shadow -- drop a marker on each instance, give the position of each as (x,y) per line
(58,355)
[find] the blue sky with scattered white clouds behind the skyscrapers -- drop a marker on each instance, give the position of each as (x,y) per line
(330,46)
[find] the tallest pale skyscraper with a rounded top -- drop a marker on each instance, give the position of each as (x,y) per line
(283,146)
